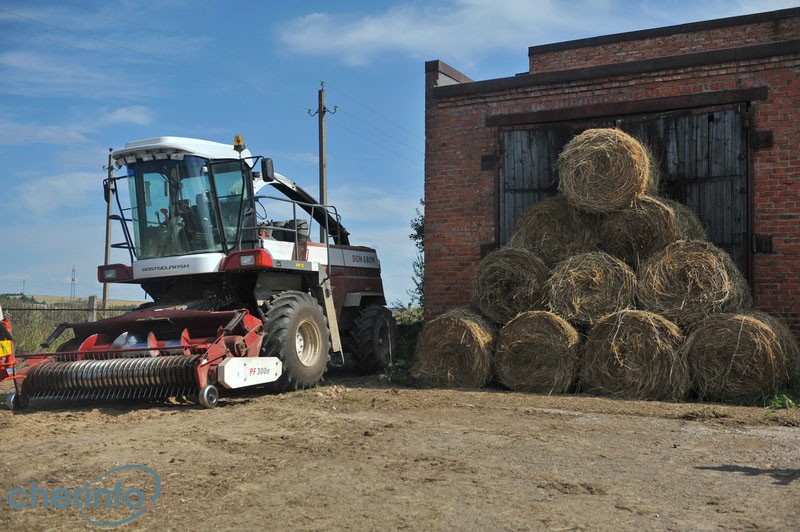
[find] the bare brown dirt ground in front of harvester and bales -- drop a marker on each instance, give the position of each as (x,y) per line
(363,454)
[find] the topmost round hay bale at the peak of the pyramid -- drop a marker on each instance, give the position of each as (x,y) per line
(602,170)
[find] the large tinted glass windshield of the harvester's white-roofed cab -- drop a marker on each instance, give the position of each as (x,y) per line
(177,210)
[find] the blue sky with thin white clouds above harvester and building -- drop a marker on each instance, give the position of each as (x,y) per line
(77,78)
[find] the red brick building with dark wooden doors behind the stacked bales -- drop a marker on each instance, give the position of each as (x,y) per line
(718,102)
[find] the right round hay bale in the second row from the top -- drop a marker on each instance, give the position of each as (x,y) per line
(634,233)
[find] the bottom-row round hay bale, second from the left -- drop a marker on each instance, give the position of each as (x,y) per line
(537,352)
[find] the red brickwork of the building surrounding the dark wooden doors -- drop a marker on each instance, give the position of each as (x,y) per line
(461,199)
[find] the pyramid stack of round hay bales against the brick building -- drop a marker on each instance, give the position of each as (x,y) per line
(610,289)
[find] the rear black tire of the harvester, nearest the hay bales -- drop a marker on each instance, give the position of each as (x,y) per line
(374,339)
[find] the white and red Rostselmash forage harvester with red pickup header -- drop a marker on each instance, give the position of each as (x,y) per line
(238,299)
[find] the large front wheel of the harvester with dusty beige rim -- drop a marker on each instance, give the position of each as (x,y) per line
(296,331)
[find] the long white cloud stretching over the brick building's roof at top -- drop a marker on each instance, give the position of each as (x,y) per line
(469,30)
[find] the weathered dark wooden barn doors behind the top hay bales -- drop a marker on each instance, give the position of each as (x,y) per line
(702,158)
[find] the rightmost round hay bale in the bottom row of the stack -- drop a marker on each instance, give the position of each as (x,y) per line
(740,356)
